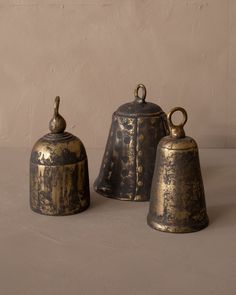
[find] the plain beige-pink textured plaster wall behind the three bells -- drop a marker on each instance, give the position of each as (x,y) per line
(93,52)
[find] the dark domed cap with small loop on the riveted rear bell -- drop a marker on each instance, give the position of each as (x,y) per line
(139,107)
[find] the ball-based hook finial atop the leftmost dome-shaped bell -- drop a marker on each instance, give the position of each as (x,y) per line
(57,123)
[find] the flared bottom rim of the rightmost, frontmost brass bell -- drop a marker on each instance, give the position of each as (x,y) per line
(177,229)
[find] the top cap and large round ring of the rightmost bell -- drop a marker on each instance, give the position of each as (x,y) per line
(177,140)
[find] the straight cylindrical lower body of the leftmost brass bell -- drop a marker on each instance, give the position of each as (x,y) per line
(59,190)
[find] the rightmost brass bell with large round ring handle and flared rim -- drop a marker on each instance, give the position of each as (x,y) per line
(177,201)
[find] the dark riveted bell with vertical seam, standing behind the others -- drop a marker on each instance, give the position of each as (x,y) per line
(128,162)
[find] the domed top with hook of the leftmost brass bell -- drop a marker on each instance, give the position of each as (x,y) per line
(58,147)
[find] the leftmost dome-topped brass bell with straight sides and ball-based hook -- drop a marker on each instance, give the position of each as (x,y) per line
(59,182)
